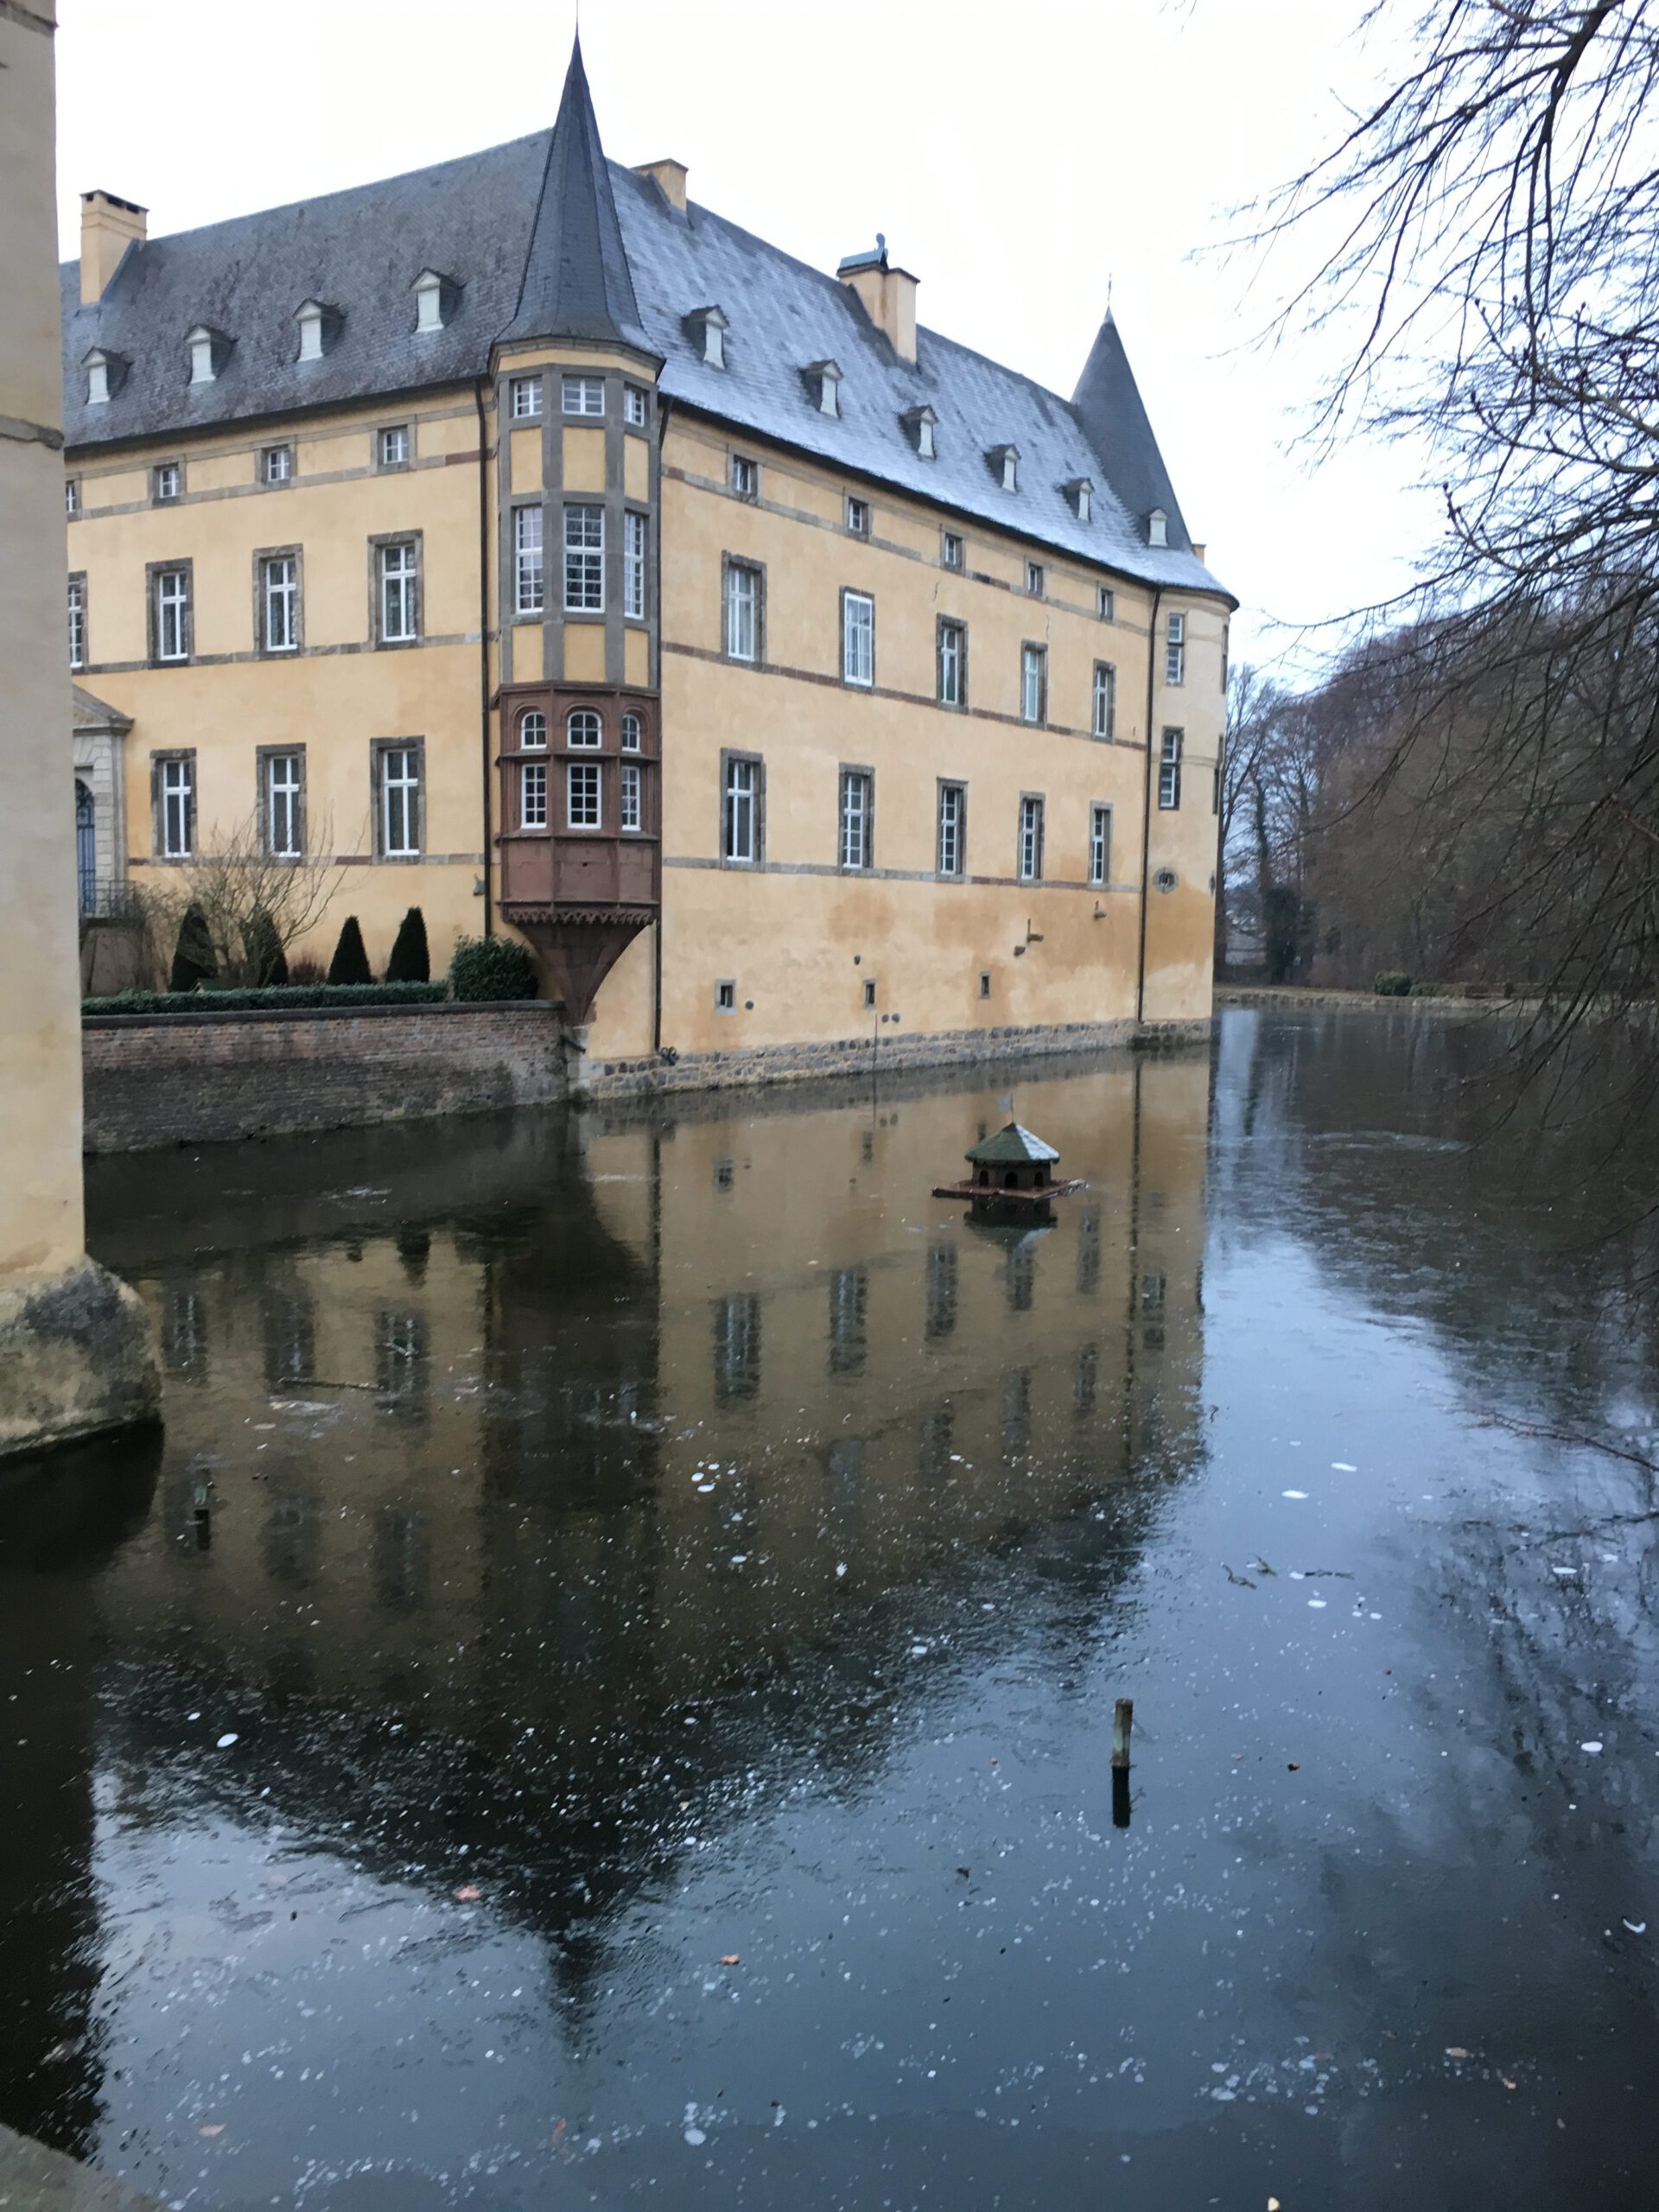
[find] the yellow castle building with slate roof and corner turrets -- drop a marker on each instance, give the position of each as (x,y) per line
(570,563)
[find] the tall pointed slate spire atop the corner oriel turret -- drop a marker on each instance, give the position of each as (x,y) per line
(576,273)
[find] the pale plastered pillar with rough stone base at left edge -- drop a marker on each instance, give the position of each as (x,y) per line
(76,1346)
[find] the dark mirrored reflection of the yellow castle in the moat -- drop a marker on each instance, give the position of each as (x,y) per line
(528,1446)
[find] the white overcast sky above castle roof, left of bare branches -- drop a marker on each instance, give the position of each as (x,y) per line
(1021,160)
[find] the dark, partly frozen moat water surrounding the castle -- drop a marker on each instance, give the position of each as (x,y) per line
(605,1689)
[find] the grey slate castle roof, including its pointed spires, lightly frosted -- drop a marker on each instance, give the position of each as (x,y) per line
(545,238)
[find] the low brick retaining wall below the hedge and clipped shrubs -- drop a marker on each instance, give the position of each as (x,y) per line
(202,1078)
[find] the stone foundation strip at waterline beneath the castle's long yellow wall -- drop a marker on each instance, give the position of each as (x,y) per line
(857,1056)
